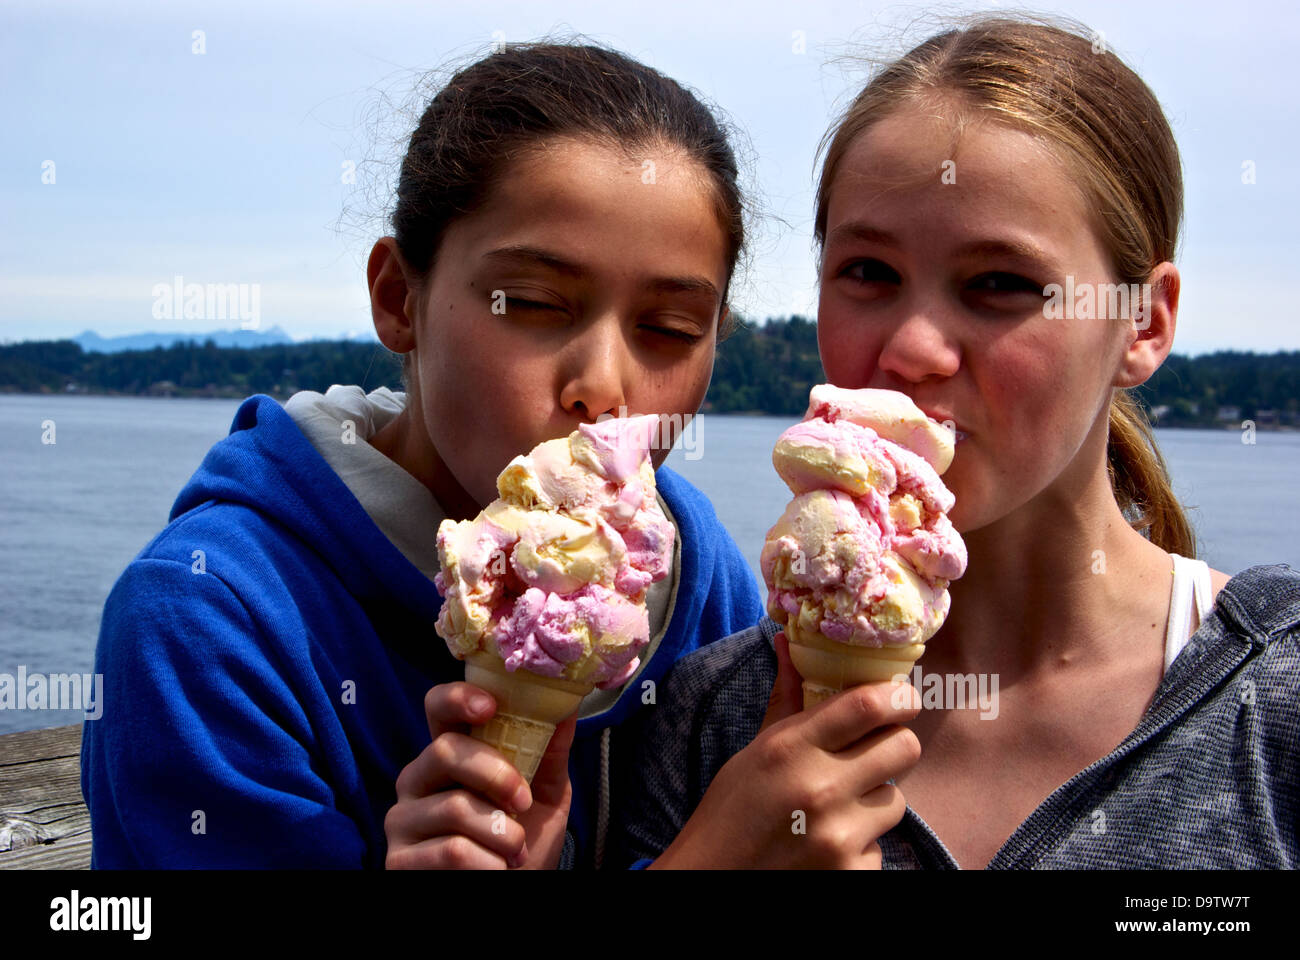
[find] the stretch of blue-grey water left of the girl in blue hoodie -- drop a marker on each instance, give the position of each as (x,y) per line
(76,512)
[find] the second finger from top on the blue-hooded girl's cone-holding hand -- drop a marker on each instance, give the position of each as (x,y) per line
(461,760)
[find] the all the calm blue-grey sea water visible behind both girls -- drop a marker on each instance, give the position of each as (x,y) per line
(76,512)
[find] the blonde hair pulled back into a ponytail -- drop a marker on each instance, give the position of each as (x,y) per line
(1055,79)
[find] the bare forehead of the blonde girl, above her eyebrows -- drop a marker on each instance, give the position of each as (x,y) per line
(920,162)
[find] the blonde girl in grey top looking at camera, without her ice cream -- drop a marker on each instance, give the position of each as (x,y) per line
(1147,708)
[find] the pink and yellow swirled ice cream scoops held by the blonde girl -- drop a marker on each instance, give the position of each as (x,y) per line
(865,551)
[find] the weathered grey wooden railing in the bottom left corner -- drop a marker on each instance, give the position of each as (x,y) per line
(45,824)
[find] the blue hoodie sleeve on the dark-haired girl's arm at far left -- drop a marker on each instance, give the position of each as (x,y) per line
(203,756)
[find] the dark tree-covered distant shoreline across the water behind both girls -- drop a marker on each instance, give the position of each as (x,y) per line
(761,370)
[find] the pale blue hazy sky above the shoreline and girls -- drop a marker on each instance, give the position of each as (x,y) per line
(131,159)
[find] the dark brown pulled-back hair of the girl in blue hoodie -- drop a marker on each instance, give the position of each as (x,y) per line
(506,103)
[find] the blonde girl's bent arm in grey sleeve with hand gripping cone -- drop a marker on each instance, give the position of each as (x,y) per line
(811,790)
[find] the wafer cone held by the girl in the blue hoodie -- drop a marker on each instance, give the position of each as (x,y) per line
(528,708)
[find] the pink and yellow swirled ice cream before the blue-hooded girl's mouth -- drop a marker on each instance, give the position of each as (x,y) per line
(552,577)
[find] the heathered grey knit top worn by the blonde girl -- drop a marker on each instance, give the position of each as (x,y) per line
(1211,777)
